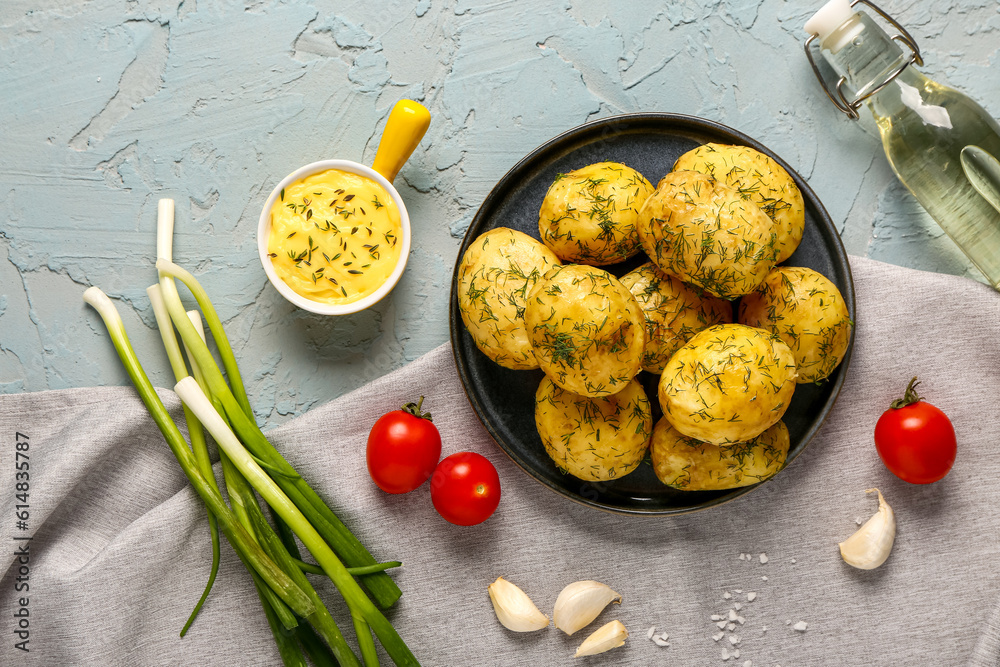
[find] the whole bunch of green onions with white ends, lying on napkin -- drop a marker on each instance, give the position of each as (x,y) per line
(218,402)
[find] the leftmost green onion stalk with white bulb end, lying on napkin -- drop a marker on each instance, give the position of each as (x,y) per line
(272,575)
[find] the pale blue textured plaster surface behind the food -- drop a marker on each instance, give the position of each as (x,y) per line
(108,106)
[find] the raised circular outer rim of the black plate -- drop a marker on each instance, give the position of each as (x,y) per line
(558,143)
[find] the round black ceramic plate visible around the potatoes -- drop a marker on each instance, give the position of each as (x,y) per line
(504,399)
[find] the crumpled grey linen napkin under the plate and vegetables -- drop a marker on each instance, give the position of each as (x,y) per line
(120,550)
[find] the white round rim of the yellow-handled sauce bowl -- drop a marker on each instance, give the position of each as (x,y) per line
(264,232)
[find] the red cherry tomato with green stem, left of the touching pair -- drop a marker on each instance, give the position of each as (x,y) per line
(403,448)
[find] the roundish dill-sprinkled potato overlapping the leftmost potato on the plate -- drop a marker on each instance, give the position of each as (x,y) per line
(586,330)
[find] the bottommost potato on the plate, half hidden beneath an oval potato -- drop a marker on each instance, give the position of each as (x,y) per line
(691,465)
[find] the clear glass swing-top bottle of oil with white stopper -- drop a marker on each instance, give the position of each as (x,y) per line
(941,144)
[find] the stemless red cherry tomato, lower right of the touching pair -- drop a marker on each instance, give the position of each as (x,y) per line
(465,488)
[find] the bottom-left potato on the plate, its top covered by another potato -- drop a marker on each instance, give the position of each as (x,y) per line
(595,439)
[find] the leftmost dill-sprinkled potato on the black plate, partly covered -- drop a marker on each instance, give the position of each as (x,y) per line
(494,278)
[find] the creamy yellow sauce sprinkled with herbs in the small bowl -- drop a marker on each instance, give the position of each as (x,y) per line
(335,236)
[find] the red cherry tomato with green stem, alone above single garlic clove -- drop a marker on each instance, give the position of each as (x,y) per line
(915,440)
